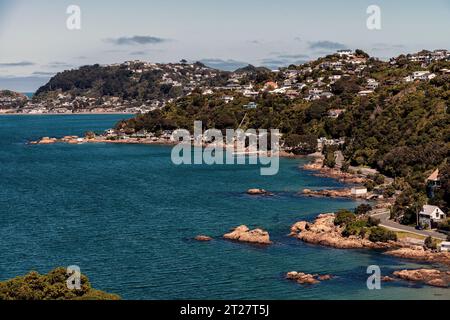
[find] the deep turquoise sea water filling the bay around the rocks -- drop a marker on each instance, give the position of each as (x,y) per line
(126,215)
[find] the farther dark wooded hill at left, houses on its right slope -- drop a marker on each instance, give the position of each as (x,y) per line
(133,80)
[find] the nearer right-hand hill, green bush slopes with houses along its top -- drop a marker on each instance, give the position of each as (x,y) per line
(393,115)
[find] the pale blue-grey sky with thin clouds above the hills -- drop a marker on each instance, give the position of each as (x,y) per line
(35,43)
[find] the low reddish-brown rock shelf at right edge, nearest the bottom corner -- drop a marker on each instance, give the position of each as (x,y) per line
(435,278)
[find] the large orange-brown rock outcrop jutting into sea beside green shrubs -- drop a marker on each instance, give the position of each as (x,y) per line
(324,232)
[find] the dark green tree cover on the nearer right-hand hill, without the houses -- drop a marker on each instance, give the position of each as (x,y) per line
(402,129)
